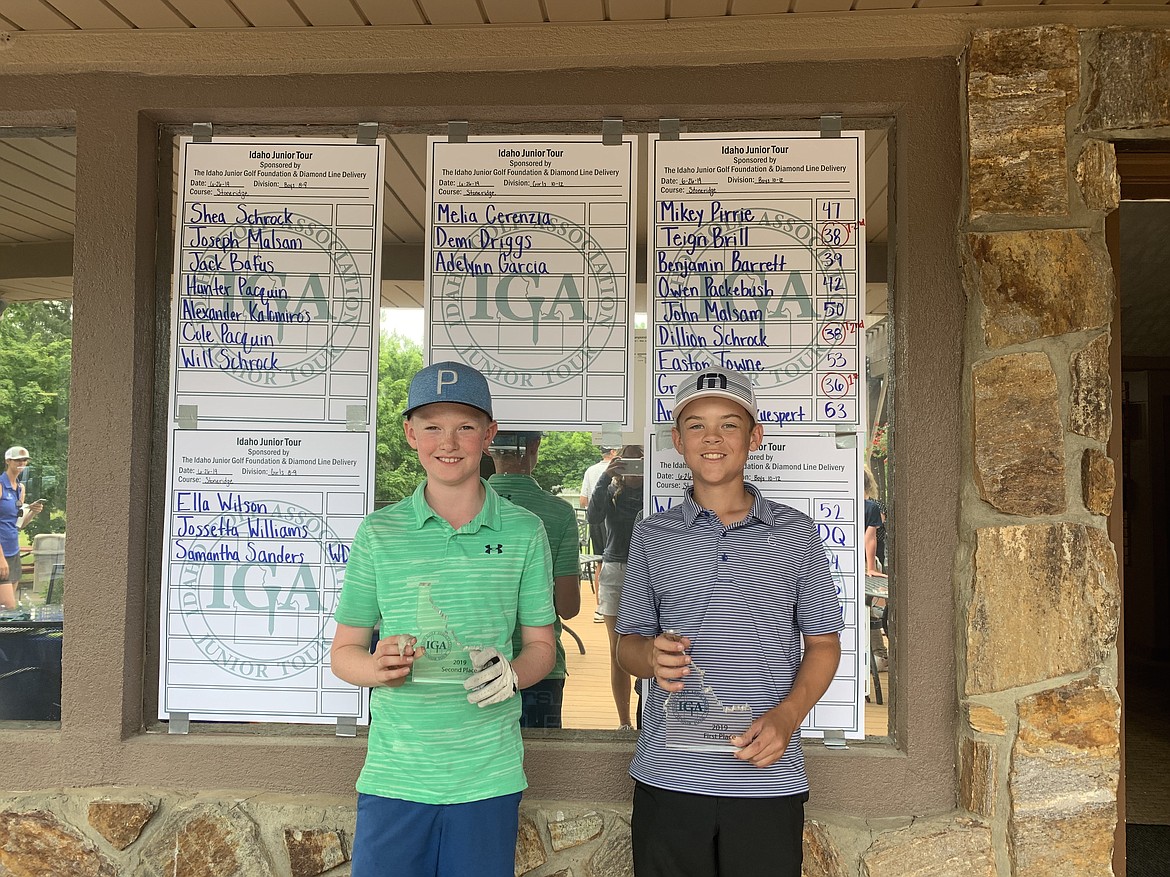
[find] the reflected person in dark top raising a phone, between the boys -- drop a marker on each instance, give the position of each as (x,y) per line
(618,509)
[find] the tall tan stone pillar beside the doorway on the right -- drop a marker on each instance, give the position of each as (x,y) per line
(1040,754)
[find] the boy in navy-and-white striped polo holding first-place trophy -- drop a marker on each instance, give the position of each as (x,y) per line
(746,582)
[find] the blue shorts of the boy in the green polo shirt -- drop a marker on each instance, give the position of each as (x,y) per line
(398,838)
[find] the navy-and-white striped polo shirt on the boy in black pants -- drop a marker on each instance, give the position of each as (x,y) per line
(745,596)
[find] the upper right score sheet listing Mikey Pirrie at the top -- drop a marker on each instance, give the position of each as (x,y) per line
(758,265)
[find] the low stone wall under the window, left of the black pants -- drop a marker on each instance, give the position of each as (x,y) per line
(136,833)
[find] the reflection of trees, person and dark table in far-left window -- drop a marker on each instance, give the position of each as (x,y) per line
(36,353)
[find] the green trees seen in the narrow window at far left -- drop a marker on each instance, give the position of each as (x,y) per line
(36,356)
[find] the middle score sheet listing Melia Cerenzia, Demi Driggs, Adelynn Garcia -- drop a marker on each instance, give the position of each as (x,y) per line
(529,274)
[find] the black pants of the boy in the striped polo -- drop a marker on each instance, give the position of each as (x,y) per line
(682,835)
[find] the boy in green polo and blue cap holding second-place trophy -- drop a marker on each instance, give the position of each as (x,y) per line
(441,790)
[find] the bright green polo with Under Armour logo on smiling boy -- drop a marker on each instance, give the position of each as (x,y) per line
(428,744)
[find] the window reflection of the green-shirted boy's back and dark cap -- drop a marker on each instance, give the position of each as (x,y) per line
(515,457)
